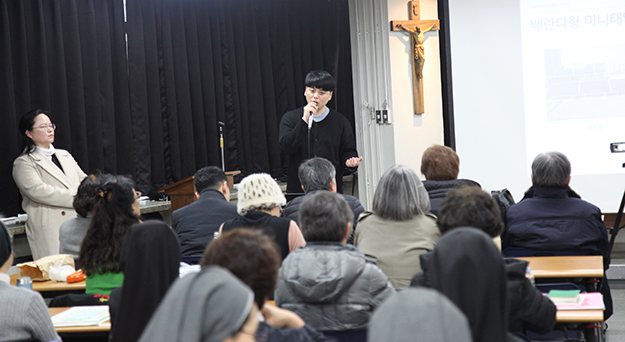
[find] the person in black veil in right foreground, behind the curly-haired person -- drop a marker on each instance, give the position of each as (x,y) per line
(466,267)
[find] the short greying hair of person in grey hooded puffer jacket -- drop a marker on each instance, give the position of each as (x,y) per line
(324,216)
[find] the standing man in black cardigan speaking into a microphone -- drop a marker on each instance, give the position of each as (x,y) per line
(317,131)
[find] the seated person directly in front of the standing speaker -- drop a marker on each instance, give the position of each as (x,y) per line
(319,174)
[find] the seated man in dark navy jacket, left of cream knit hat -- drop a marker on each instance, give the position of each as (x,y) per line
(197,222)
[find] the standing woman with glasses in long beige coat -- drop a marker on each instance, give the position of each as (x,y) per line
(48,179)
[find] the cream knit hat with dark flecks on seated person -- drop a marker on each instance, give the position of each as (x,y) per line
(258,190)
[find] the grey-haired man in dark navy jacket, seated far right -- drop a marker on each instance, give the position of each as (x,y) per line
(551,216)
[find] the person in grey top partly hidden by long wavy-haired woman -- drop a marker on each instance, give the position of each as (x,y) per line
(72,231)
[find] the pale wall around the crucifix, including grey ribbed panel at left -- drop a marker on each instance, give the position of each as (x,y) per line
(381,65)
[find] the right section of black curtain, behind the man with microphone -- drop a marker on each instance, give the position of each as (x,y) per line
(196,62)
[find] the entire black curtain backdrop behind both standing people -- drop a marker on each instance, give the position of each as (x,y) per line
(189,65)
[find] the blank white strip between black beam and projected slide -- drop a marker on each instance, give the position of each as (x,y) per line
(488,94)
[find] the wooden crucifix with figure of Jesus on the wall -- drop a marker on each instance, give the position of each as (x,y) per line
(416,28)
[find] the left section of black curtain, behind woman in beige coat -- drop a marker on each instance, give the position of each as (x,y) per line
(67,57)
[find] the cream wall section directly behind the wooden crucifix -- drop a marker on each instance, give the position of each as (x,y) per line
(414,133)
